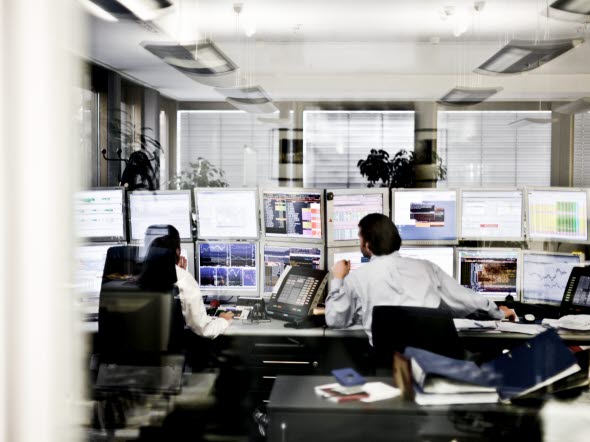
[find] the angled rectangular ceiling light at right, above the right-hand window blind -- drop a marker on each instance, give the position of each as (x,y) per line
(525,55)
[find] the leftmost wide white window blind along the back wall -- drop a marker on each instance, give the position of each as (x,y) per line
(231,140)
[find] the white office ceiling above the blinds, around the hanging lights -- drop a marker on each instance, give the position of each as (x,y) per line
(352,50)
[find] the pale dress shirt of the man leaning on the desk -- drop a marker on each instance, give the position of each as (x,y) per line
(393,280)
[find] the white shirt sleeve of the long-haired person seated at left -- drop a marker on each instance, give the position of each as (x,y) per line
(193,307)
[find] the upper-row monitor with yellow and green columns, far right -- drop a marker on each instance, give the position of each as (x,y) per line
(558,214)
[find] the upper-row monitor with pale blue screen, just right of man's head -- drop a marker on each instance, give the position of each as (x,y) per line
(426,216)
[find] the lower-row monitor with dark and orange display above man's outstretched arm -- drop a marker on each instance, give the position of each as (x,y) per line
(494,273)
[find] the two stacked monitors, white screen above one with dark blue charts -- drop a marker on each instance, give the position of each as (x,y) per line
(227,250)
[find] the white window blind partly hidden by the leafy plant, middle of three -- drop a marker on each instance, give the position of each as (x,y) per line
(334,142)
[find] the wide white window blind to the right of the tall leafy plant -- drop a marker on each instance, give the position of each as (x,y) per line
(481,149)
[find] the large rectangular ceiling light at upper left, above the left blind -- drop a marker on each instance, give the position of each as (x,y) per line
(202,61)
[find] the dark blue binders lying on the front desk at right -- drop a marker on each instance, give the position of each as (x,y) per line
(537,363)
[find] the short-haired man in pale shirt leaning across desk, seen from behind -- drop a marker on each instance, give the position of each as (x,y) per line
(389,279)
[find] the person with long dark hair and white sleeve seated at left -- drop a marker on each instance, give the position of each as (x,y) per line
(191,299)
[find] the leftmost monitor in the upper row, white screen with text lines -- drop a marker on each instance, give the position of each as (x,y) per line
(99,215)
